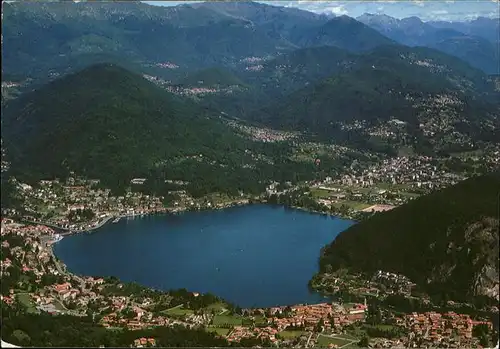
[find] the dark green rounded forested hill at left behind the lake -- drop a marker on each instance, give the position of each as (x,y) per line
(108,123)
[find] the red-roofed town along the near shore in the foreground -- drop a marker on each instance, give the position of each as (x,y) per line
(34,278)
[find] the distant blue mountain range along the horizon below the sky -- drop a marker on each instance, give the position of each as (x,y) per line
(58,37)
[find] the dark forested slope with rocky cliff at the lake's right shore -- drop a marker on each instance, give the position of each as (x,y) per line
(446,242)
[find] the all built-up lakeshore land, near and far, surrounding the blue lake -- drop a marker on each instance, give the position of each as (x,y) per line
(366,310)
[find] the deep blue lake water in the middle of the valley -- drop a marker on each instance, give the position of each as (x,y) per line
(255,255)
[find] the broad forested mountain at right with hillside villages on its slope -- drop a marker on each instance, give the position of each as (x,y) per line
(397,82)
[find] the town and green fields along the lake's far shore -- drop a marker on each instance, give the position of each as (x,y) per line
(79,204)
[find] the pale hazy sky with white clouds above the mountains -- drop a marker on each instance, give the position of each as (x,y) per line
(426,9)
